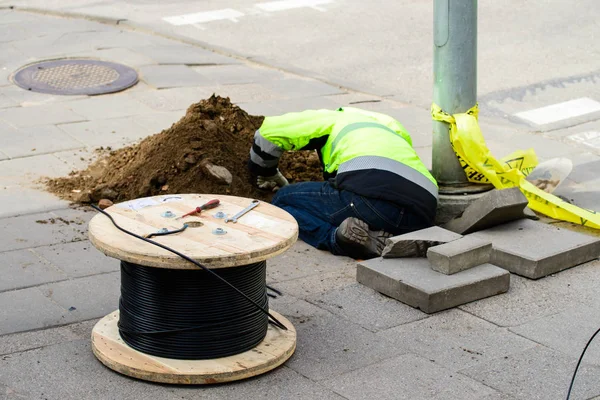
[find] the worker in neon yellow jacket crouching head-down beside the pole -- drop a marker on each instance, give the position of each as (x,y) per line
(375,184)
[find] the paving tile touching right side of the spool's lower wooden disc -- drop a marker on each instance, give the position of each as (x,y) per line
(329,345)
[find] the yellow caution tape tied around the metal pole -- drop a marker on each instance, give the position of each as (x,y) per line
(481,167)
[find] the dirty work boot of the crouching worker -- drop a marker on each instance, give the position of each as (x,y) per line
(355,238)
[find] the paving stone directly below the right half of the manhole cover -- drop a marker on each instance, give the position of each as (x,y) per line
(99,107)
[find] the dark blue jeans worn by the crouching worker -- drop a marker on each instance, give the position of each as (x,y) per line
(319,209)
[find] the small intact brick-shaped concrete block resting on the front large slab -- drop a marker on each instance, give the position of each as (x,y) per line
(459,255)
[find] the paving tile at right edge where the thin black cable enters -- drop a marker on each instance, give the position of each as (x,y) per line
(577,324)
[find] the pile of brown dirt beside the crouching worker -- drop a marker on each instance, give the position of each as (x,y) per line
(189,157)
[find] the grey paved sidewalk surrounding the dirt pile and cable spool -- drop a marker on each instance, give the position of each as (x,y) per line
(353,343)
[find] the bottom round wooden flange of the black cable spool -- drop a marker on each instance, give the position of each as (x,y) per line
(112,351)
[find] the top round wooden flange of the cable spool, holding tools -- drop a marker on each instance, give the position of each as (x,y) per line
(260,234)
